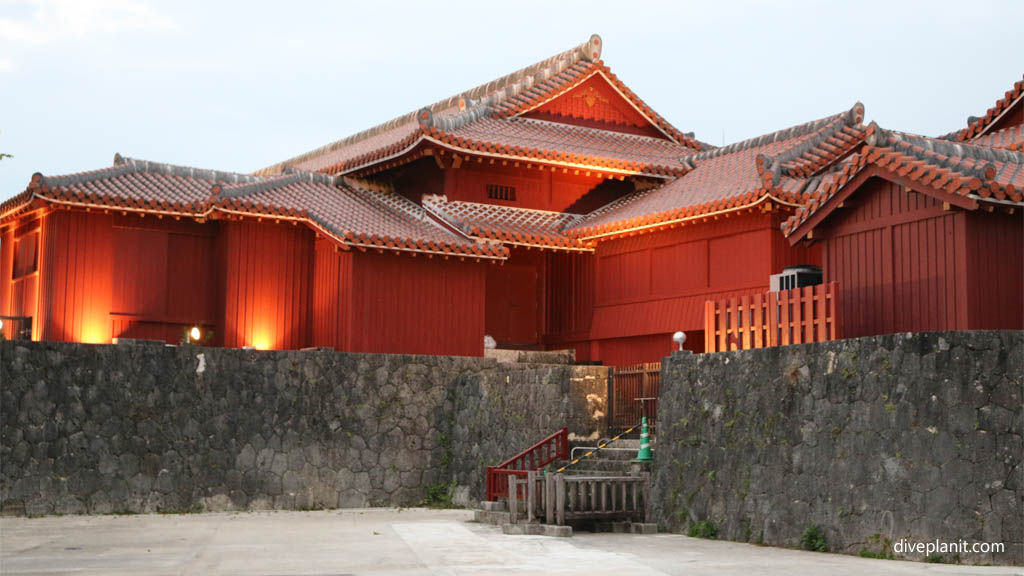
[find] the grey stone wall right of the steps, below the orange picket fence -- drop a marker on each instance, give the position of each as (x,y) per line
(916,437)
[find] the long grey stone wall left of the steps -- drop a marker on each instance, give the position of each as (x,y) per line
(111,429)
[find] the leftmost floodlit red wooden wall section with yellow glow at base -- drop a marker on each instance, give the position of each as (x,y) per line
(76,277)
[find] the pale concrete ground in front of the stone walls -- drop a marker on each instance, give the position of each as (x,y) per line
(391,542)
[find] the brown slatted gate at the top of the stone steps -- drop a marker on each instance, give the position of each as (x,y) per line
(634,395)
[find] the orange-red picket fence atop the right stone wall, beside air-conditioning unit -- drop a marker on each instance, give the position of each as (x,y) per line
(804,315)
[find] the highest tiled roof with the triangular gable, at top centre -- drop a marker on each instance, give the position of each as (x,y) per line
(486,121)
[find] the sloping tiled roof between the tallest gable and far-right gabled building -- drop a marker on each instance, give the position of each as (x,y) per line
(780,164)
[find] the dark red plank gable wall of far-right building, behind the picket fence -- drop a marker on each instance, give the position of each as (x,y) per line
(900,262)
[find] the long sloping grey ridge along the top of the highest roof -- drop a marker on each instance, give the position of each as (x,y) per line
(588,52)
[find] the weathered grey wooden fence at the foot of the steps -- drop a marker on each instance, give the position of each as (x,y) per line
(559,499)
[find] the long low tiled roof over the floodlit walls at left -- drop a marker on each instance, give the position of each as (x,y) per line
(356,216)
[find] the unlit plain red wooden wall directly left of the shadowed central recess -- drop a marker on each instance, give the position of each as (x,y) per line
(405,305)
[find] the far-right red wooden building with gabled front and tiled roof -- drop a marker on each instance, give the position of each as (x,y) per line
(926,234)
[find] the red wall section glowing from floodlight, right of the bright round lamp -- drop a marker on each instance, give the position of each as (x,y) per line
(268,285)
